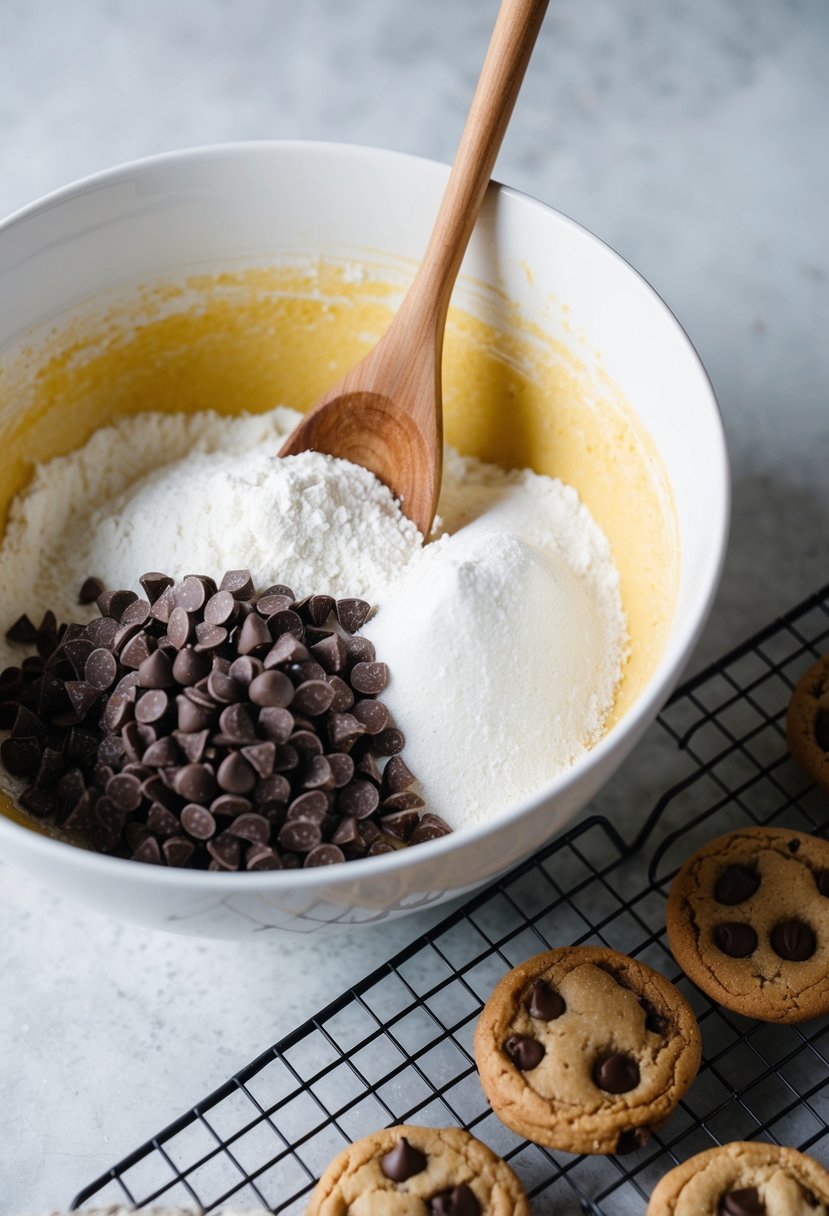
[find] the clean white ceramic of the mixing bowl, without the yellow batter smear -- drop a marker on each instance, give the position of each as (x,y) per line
(213,207)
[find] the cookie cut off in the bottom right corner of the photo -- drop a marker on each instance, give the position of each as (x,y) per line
(745,1180)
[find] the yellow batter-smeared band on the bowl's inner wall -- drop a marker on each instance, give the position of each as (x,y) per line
(251,339)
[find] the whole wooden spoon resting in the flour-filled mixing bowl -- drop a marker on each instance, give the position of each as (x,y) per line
(387,413)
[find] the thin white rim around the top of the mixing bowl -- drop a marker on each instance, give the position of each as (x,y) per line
(670,665)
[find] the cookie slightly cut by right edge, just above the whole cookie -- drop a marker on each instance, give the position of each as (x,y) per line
(748,920)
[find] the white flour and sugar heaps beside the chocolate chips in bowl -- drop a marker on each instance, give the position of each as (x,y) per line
(505,637)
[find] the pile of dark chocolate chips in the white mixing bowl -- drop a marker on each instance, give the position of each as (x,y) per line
(212,728)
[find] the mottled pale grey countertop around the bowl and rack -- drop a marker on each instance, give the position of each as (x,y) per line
(686,134)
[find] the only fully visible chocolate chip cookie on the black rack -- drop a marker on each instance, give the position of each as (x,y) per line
(585,1050)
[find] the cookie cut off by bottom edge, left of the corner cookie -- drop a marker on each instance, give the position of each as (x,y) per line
(419,1172)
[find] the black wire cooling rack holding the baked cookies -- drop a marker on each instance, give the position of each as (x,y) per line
(398,1046)
